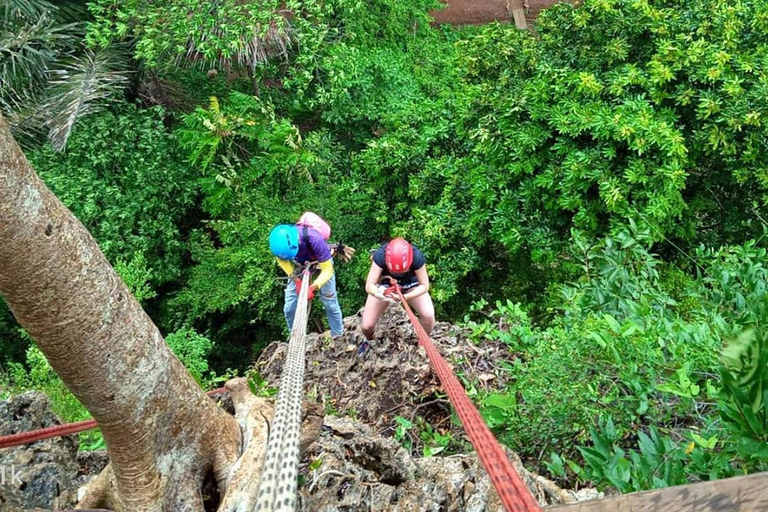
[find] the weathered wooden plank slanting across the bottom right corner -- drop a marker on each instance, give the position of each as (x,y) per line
(738,494)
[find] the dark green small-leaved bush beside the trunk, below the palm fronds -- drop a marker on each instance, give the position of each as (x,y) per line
(124,178)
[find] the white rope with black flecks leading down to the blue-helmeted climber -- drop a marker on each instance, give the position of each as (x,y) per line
(277,486)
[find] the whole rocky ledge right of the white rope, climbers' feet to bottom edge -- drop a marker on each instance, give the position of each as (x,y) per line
(357,465)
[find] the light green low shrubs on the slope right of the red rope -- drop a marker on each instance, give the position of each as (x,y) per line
(621,351)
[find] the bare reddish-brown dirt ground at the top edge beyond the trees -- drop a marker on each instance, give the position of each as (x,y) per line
(475,12)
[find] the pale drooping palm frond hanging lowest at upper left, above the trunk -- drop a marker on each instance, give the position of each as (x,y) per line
(82,87)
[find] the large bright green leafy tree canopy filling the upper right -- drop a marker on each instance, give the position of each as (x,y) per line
(616,109)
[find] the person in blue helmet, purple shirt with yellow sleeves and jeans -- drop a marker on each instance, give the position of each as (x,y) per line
(303,245)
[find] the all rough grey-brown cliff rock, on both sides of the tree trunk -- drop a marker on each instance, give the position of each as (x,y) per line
(351,462)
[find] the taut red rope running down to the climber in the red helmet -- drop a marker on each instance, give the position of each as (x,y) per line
(513,493)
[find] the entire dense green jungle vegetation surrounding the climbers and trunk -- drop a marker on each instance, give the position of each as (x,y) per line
(592,192)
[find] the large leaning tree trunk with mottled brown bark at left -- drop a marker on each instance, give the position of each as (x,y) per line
(162,432)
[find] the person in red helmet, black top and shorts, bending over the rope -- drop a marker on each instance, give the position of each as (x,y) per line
(398,260)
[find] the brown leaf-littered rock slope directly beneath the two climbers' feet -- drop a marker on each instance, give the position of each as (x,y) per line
(394,377)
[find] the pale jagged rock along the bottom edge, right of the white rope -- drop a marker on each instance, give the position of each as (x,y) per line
(351,468)
